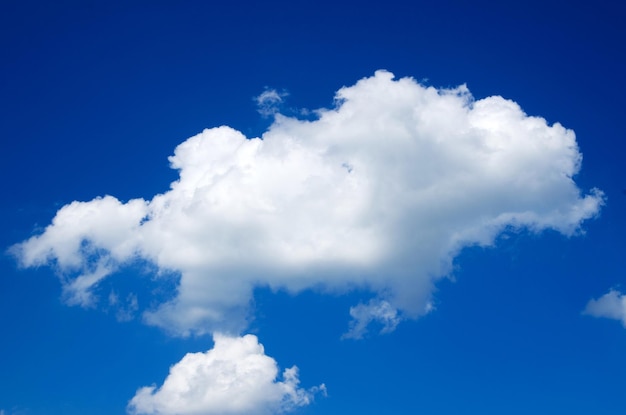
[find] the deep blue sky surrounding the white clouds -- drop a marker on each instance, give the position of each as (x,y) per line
(96,95)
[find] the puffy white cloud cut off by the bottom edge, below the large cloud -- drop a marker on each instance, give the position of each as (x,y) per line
(235,377)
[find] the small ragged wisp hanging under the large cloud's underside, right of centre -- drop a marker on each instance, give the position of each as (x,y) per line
(377,311)
